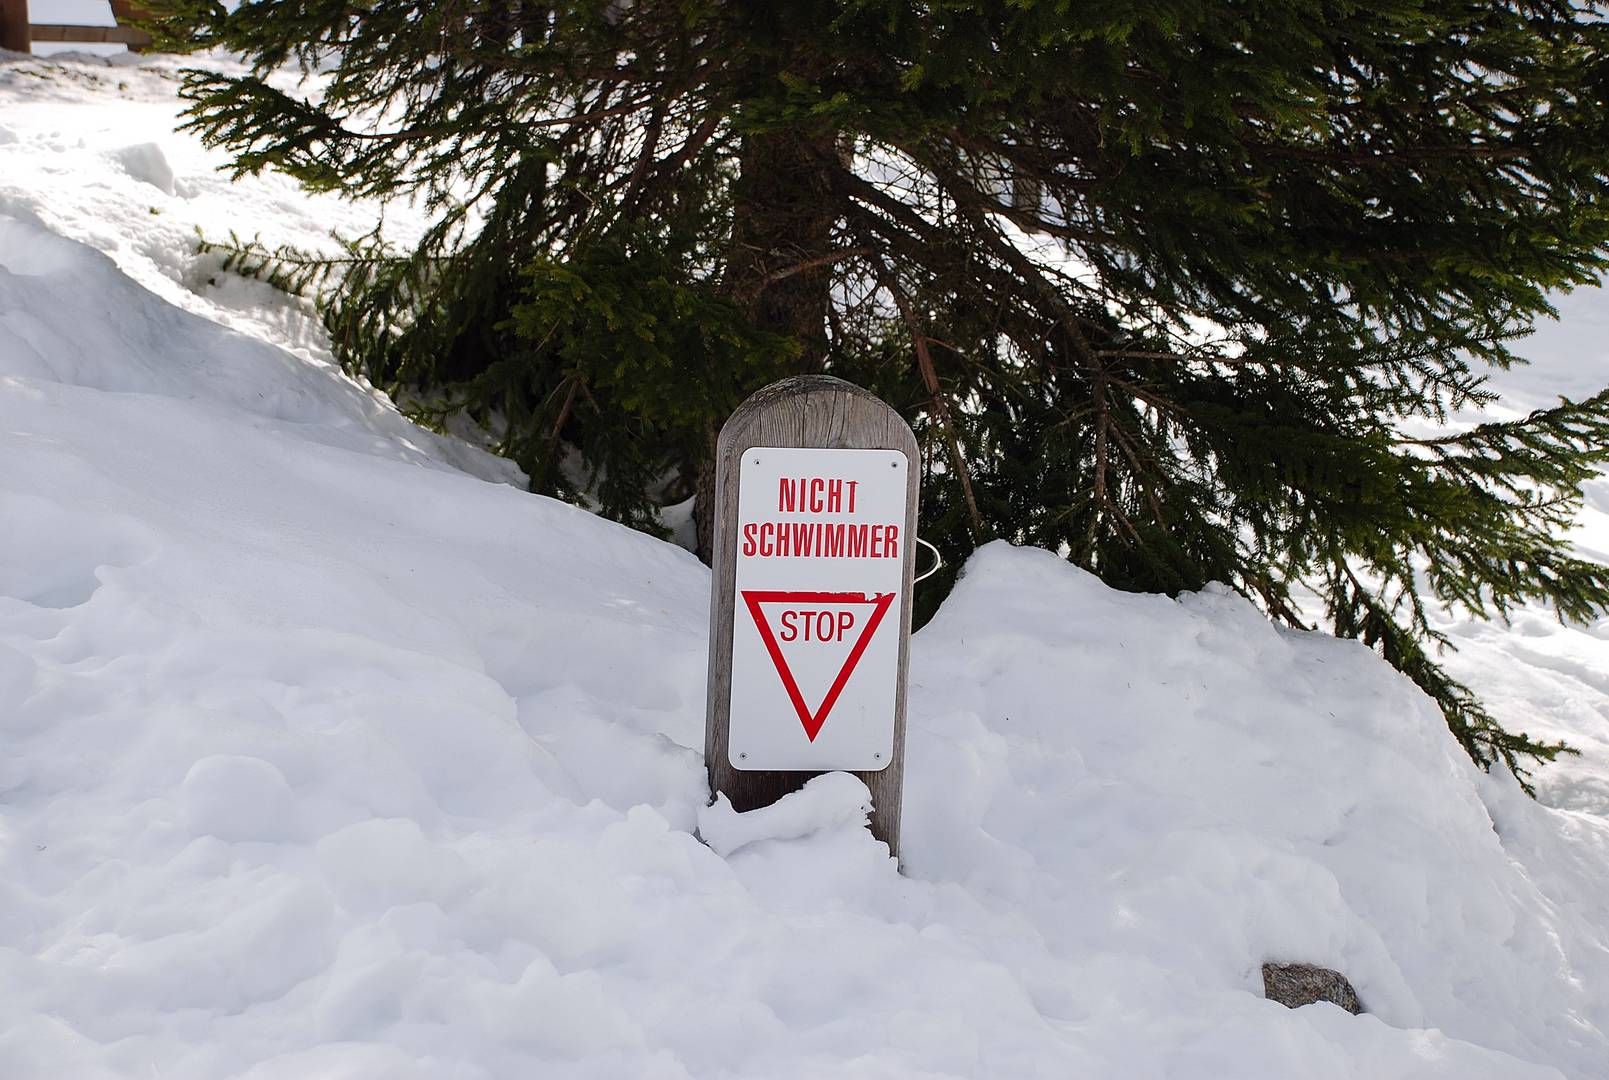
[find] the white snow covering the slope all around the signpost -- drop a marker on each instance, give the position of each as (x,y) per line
(324,759)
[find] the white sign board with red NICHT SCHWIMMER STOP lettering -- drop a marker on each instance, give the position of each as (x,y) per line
(817,624)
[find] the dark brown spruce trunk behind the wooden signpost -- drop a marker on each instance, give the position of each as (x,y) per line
(783,220)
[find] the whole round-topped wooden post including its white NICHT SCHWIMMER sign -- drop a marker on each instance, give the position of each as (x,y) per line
(810,606)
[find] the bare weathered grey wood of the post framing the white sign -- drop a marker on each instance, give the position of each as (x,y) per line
(804,411)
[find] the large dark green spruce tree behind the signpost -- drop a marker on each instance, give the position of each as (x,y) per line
(1174,289)
